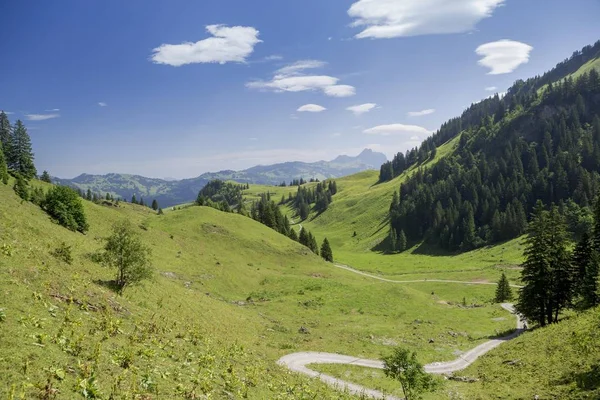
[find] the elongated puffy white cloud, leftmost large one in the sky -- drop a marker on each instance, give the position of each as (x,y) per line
(228,44)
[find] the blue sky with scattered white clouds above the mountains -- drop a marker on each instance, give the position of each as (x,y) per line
(174,89)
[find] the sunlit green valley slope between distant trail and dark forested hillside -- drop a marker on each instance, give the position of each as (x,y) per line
(361,206)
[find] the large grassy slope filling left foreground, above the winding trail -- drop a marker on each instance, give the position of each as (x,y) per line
(209,265)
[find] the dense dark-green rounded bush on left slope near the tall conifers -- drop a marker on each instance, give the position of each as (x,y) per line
(64,205)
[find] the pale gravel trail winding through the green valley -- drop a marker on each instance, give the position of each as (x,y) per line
(298,362)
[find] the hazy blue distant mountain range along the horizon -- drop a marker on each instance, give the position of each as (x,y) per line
(171,192)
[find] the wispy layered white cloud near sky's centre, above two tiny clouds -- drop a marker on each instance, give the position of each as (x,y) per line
(292,78)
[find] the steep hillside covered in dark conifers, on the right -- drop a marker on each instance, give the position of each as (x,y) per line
(539,142)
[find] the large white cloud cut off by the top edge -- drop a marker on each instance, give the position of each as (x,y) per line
(383,19)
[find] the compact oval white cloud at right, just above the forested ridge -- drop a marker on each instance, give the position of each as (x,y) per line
(503,56)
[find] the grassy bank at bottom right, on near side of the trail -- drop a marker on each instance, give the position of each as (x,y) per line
(558,362)
